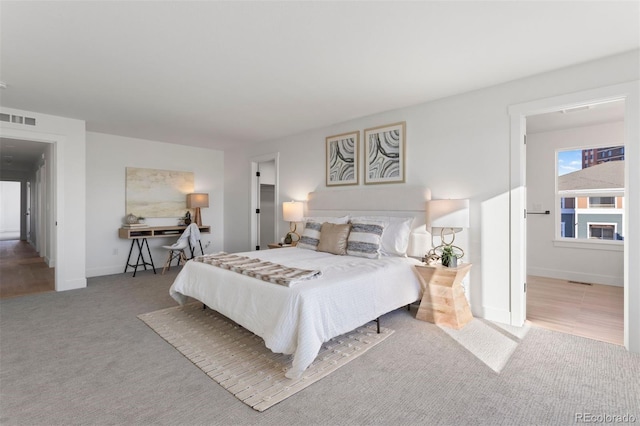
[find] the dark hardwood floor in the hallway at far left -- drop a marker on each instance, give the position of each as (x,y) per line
(22,271)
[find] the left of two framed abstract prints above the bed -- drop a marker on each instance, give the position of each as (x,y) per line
(342,160)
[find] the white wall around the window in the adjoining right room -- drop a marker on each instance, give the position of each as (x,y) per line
(602,263)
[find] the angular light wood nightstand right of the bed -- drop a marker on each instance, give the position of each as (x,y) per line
(443,299)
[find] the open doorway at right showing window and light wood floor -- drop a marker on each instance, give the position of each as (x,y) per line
(575,194)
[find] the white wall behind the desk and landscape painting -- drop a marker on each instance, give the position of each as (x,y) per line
(107,158)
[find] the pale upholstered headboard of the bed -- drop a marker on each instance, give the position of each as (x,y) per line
(391,200)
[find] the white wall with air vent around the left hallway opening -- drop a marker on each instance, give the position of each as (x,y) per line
(66,206)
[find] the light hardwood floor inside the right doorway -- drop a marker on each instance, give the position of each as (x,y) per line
(594,311)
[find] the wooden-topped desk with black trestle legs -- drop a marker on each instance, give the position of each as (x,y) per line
(139,236)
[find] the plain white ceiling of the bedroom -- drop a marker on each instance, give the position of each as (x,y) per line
(219,74)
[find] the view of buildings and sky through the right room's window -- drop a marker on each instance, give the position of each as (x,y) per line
(590,191)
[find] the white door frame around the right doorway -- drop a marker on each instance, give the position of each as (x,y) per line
(630,93)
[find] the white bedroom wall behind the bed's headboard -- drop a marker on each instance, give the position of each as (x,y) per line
(458,147)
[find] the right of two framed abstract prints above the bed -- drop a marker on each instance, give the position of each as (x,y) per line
(384,160)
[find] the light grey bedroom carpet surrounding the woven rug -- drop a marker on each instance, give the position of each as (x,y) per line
(82,357)
